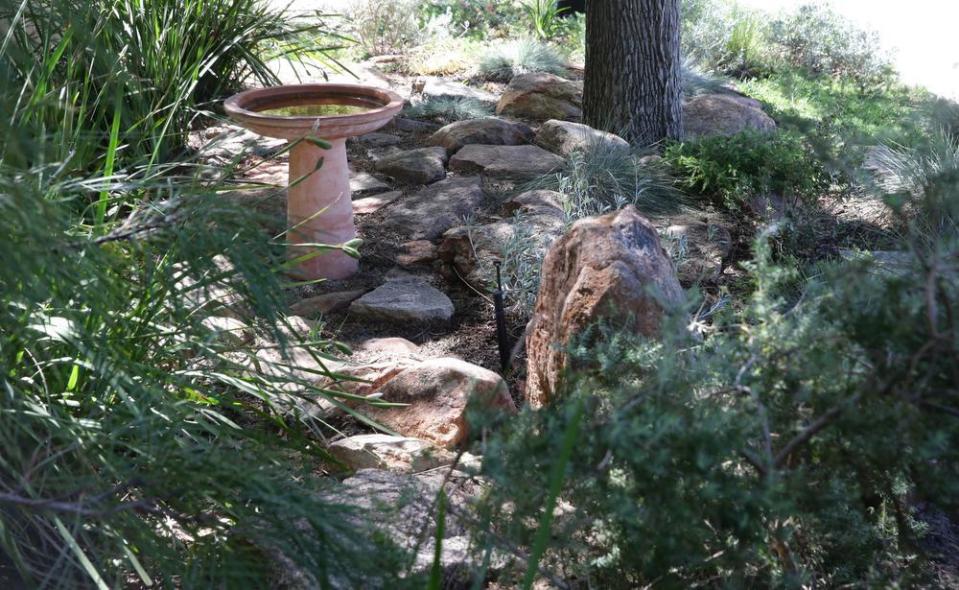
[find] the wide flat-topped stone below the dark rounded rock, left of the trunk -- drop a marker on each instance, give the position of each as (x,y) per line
(516,162)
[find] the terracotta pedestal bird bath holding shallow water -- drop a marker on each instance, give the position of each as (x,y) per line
(319,206)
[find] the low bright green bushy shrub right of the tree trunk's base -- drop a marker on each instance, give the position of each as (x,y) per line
(729,170)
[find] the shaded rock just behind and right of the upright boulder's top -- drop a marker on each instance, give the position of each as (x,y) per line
(697,248)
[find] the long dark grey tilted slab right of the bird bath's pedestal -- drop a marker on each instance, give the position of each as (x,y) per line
(427,213)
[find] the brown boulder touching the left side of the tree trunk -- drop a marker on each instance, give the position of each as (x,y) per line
(541,96)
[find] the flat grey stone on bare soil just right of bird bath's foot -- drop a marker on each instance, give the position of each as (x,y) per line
(405,300)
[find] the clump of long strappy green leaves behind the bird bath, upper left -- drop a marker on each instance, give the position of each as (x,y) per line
(145,66)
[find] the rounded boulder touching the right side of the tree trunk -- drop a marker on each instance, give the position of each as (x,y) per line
(723,114)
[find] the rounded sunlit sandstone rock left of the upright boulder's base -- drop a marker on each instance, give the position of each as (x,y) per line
(438,392)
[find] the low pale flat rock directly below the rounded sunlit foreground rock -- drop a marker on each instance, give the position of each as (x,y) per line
(384,451)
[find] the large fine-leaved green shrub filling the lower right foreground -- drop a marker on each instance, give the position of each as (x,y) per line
(797,445)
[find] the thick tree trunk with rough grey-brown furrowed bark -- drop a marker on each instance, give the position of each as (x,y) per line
(633,69)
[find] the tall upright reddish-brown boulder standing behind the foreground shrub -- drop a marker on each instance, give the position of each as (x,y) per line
(607,268)
